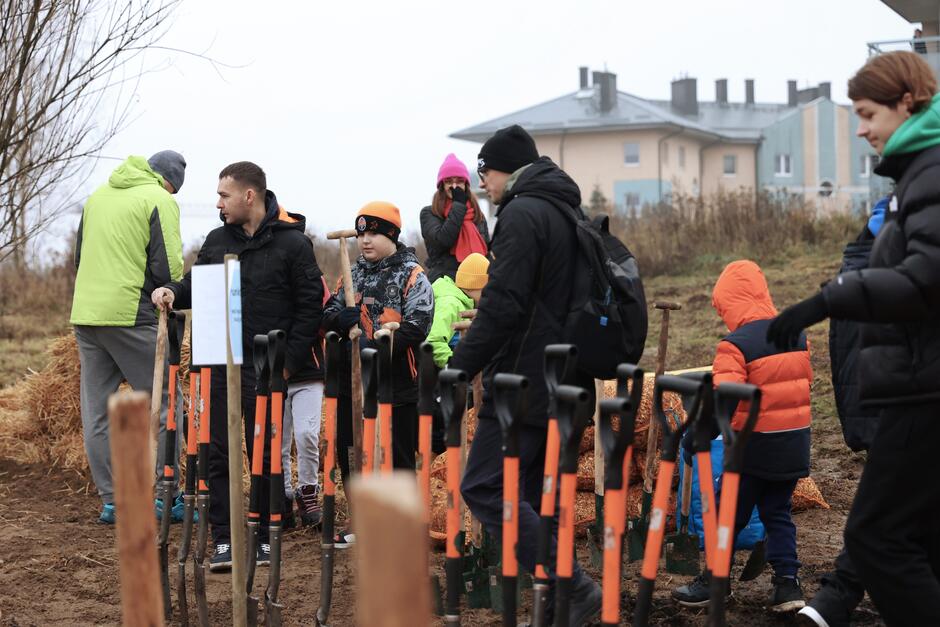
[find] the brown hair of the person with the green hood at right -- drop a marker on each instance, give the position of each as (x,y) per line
(887,77)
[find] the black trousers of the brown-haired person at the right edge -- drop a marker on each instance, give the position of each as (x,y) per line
(893,531)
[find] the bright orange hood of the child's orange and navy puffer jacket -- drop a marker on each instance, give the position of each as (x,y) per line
(741,295)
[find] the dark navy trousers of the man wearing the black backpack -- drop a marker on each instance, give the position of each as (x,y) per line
(482,489)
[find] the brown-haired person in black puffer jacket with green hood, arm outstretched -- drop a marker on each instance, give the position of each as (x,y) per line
(893,531)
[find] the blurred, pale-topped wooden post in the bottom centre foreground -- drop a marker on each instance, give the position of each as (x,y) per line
(392,578)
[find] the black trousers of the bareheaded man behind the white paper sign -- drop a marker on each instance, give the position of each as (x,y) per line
(219,508)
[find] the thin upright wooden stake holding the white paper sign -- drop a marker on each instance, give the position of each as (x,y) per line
(235,470)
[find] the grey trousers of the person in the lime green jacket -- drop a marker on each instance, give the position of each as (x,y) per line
(110,355)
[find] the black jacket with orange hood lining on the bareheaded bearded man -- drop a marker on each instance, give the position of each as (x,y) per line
(281,286)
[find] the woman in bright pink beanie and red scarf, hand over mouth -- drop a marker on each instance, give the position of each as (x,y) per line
(452,226)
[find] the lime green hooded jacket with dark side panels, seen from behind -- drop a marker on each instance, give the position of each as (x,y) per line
(128,244)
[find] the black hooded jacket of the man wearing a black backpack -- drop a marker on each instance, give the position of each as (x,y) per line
(534,249)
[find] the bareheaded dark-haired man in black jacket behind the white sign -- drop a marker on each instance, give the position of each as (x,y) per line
(281,288)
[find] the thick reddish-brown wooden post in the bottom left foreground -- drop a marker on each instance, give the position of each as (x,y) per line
(141,595)
